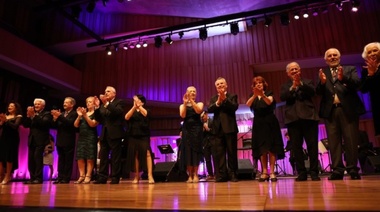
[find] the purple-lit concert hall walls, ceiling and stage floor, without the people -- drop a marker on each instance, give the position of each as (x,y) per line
(52,49)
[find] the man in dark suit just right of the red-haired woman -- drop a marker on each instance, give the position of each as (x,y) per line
(301,119)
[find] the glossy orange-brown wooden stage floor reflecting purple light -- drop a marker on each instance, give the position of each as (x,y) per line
(245,195)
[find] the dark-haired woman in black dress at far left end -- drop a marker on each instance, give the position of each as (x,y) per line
(9,141)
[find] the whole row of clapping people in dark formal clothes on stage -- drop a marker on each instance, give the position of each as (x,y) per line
(340,107)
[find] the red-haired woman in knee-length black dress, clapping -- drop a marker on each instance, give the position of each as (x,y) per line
(266,135)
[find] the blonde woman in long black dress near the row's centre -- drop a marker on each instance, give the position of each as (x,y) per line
(192,131)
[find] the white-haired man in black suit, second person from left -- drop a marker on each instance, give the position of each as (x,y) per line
(39,122)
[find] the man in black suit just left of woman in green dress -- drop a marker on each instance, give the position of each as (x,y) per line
(65,142)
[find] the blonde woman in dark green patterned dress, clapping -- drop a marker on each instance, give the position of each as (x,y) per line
(87,141)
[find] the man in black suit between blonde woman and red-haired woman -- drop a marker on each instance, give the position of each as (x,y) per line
(224,127)
